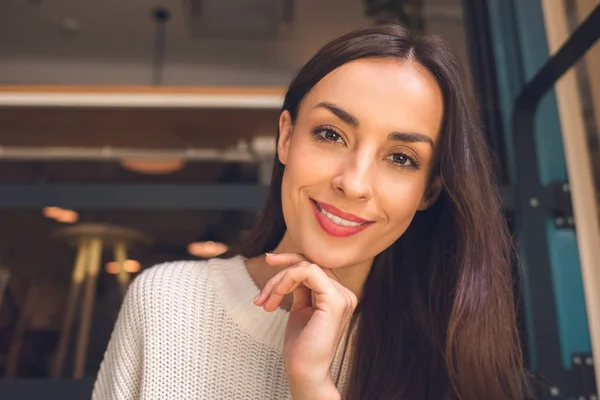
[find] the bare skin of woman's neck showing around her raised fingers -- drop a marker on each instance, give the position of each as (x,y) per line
(352,277)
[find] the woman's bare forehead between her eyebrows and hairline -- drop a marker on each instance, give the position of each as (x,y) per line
(383,93)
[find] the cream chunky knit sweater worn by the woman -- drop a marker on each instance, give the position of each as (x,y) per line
(189,330)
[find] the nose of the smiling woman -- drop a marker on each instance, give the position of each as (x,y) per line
(355,179)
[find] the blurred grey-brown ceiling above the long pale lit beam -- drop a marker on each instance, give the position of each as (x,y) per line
(113,42)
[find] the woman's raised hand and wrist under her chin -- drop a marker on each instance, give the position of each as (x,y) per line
(320,313)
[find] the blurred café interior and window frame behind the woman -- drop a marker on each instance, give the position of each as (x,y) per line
(138,132)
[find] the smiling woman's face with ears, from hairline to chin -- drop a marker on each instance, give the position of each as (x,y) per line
(359,159)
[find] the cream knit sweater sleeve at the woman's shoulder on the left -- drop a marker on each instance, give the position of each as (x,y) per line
(121,369)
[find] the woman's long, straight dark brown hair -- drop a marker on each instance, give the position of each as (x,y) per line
(437,317)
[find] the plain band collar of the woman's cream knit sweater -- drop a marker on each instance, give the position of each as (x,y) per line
(236,289)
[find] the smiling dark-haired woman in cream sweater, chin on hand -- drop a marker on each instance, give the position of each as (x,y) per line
(388,273)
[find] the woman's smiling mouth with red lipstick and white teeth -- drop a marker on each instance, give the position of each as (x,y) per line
(336,222)
